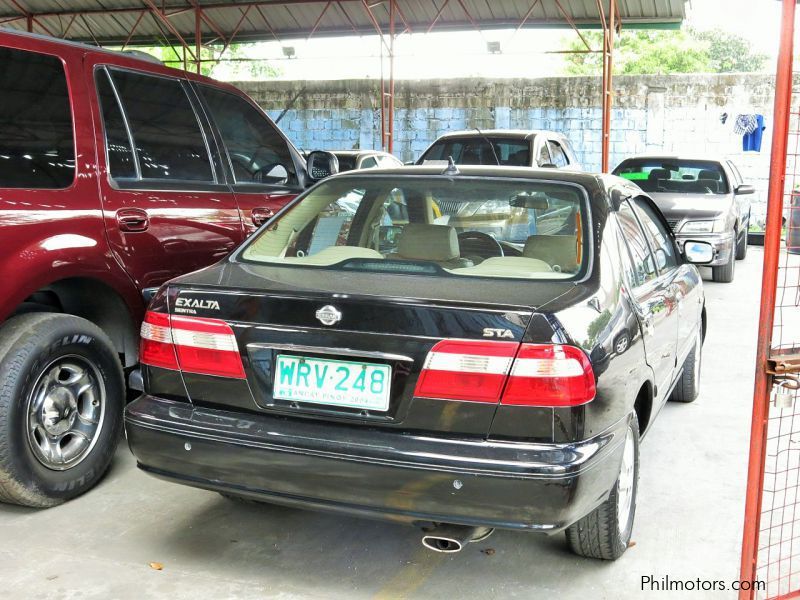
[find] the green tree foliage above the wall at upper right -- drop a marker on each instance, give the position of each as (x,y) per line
(639,52)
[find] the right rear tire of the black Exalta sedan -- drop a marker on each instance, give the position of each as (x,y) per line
(602,534)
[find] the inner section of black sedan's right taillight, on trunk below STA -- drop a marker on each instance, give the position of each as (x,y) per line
(466,370)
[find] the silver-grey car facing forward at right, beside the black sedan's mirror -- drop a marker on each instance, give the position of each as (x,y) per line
(702,199)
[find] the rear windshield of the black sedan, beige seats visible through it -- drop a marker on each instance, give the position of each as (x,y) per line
(438,226)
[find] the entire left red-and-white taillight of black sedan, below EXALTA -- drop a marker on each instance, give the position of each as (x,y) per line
(191,344)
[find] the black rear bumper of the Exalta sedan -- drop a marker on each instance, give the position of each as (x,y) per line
(366,472)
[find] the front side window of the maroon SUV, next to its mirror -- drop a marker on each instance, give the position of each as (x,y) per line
(254,146)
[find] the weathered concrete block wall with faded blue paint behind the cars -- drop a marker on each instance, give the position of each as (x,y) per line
(674,114)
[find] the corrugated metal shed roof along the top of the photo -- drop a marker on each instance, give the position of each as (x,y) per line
(111,21)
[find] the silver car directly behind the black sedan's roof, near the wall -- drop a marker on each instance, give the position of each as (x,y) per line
(504,147)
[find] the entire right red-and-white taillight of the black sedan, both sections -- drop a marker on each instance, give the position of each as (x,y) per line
(507,372)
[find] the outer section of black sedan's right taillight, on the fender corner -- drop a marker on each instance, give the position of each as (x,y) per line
(550,375)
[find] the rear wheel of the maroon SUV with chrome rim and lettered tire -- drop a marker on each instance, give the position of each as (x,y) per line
(39,348)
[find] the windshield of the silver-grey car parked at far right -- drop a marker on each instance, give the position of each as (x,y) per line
(675,176)
